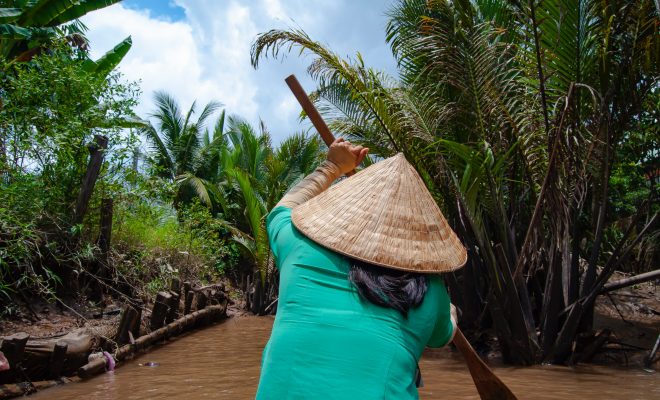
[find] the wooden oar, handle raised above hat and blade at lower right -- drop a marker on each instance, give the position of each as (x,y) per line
(489,386)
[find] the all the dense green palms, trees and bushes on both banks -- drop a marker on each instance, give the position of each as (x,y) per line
(534,124)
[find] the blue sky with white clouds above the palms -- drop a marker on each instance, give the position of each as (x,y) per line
(200,50)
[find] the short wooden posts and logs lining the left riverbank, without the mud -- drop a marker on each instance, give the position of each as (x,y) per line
(50,359)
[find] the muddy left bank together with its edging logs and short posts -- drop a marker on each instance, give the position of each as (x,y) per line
(84,342)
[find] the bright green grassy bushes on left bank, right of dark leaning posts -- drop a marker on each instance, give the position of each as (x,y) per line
(154,242)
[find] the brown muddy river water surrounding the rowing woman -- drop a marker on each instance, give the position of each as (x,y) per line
(222,362)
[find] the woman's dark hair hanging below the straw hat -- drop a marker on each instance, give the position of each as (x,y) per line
(387,287)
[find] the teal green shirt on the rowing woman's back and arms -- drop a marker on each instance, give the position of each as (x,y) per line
(327,342)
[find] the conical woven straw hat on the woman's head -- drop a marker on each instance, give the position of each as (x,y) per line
(383,215)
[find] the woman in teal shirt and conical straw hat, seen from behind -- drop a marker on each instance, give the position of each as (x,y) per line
(360,288)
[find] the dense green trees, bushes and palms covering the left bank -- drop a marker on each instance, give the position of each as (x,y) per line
(192,206)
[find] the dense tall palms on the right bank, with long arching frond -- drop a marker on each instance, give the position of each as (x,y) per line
(535,125)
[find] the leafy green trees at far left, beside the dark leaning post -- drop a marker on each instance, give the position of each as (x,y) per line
(50,108)
